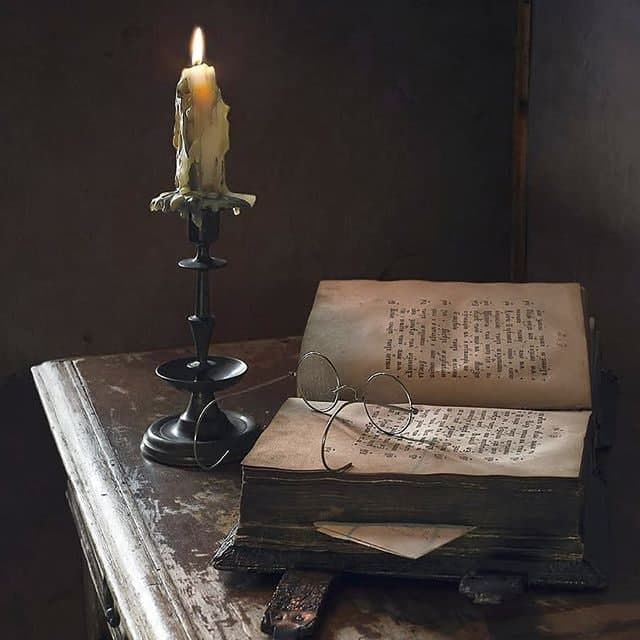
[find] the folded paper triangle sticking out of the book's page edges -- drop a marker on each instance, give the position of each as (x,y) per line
(406,540)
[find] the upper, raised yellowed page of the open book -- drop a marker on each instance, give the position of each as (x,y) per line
(452,343)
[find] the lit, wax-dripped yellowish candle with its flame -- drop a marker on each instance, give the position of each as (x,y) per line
(201,129)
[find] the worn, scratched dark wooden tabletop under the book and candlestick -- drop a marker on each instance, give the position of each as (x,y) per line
(155,528)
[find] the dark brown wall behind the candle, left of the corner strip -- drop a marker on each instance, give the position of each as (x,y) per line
(377,136)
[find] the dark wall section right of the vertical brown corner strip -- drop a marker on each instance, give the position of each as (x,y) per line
(584,197)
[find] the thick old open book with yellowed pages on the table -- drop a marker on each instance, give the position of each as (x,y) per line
(499,446)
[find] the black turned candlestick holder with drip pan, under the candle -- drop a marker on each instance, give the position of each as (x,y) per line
(221,434)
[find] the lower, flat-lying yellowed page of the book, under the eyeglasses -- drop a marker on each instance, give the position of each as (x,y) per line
(439,440)
